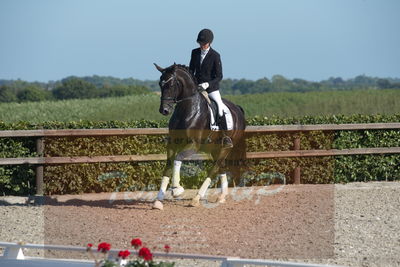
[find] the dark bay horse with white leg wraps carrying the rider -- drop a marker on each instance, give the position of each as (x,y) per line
(189,132)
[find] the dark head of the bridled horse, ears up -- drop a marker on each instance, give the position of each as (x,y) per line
(170,89)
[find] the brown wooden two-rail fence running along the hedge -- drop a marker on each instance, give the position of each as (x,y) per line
(41,161)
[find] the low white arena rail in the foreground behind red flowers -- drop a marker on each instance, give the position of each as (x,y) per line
(13,256)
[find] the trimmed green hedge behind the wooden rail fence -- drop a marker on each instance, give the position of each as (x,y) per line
(103,177)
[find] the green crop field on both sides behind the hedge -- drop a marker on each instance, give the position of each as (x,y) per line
(145,106)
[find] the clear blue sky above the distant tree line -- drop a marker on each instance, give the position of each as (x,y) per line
(310,39)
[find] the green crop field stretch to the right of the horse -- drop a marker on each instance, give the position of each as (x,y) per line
(319,103)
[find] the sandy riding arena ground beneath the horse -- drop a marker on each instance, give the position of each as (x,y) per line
(355,224)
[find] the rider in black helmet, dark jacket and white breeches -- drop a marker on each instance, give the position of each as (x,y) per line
(205,65)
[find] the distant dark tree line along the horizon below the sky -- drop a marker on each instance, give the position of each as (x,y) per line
(83,87)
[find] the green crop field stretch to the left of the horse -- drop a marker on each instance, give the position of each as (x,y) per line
(105,109)
